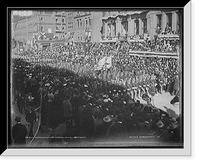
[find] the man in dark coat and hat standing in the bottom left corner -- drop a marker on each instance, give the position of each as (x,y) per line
(19,132)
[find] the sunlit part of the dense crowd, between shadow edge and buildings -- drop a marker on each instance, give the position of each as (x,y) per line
(125,69)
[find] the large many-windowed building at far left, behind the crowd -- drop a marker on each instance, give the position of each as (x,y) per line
(53,22)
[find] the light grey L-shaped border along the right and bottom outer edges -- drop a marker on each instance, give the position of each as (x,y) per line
(187,151)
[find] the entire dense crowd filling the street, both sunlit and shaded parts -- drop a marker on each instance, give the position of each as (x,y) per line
(98,104)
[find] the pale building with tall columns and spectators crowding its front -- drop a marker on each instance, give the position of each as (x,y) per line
(137,24)
